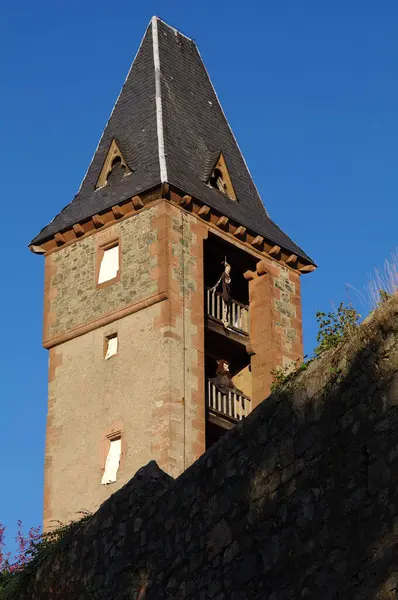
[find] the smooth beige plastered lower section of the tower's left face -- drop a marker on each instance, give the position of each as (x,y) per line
(89,397)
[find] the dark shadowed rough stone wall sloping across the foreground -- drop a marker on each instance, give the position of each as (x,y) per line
(298,501)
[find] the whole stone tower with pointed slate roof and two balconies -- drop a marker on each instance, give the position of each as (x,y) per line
(170,294)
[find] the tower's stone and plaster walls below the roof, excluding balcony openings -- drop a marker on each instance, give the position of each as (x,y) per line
(153,391)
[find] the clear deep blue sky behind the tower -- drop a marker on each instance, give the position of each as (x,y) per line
(311,91)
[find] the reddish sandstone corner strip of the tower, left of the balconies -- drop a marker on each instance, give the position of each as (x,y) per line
(179,431)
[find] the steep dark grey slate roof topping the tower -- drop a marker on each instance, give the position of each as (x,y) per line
(177,104)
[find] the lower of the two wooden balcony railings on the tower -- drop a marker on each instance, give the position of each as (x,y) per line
(226,410)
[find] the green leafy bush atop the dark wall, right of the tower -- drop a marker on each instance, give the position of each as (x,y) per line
(335,326)
